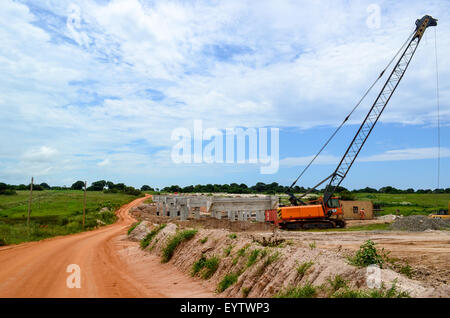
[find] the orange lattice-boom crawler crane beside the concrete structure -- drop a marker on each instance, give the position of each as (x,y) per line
(326,212)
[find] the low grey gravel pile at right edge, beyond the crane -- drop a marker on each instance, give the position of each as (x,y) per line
(419,223)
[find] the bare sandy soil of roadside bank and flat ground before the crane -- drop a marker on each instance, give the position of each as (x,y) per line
(426,253)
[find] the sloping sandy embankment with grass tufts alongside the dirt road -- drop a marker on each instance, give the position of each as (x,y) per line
(237,264)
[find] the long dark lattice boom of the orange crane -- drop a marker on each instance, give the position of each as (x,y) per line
(377,108)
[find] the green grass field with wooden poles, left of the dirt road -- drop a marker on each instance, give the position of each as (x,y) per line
(55,212)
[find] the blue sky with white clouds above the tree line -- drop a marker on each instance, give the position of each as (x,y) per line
(93,90)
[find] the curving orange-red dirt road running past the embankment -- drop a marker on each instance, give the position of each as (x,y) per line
(110,266)
